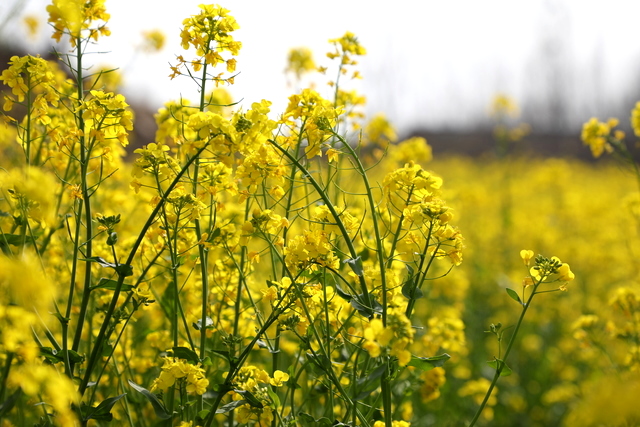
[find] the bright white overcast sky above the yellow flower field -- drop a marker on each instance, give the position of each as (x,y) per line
(436,63)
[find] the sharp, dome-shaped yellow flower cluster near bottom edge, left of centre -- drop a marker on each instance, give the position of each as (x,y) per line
(192,377)
